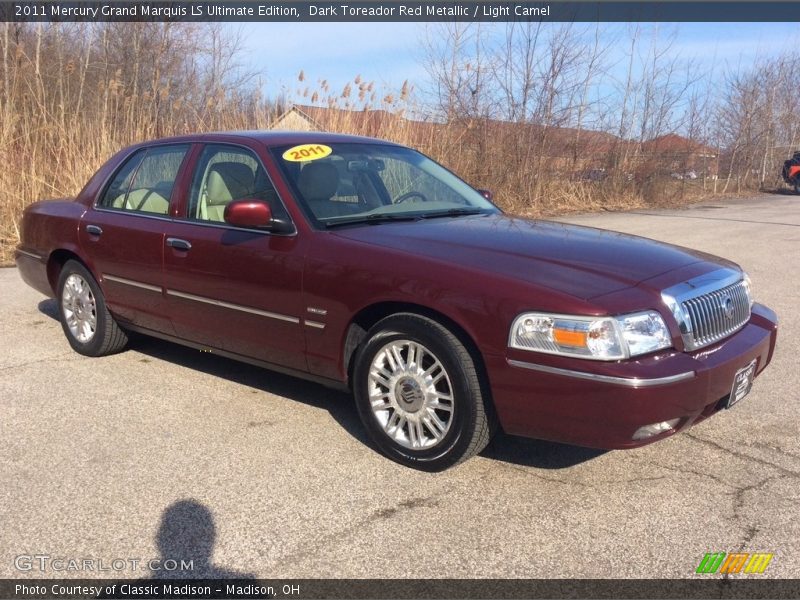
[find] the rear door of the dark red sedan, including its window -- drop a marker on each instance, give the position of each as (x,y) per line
(123,234)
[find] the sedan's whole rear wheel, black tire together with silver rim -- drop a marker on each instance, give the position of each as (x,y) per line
(106,337)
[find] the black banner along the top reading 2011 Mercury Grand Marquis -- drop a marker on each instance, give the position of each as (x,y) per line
(431,11)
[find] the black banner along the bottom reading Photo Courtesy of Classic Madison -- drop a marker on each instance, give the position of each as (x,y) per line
(711,587)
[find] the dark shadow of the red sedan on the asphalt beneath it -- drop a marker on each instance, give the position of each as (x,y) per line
(503,447)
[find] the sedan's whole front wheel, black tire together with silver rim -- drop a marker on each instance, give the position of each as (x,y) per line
(468,419)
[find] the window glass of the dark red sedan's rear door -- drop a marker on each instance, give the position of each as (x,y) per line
(144,182)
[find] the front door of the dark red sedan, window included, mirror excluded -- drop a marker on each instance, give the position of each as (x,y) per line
(230,288)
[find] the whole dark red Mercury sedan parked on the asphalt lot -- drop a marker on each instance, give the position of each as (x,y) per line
(363,264)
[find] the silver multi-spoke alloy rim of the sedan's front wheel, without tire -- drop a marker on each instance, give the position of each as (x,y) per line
(410,394)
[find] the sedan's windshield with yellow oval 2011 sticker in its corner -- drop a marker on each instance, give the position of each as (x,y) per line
(340,184)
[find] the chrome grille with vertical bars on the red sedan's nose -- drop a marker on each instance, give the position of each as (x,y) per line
(716,315)
